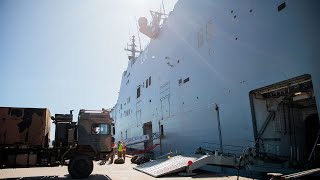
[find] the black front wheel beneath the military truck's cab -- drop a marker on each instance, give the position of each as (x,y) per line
(80,167)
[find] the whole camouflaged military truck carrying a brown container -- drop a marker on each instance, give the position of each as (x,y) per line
(25,133)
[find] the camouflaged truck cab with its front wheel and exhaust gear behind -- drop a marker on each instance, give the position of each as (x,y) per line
(89,139)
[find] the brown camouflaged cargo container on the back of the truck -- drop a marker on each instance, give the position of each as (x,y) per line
(24,126)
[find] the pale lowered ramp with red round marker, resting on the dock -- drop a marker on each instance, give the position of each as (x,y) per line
(178,163)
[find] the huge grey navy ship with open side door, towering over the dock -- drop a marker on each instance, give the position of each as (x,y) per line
(225,75)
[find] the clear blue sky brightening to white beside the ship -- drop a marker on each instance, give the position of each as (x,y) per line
(66,55)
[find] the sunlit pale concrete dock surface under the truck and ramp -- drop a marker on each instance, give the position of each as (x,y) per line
(102,172)
